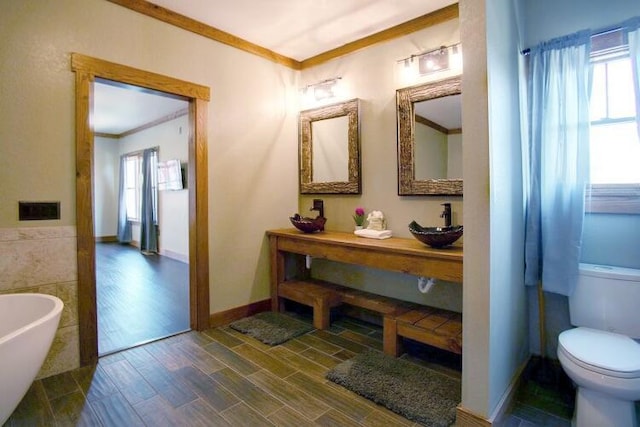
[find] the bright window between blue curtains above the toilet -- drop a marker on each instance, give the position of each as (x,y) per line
(614,142)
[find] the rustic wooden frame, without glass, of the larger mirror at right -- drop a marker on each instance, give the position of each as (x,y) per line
(405,100)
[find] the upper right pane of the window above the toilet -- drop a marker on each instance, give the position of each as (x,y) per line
(621,95)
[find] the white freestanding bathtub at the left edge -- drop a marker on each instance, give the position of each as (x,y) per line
(28,323)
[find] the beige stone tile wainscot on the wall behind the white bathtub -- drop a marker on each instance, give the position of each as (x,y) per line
(43,260)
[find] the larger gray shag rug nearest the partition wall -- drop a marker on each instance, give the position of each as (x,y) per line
(419,394)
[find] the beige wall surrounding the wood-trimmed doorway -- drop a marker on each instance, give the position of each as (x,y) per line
(251,130)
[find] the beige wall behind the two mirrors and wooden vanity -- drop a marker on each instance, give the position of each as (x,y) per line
(373,76)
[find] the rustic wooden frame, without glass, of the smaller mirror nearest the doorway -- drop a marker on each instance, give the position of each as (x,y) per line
(351,109)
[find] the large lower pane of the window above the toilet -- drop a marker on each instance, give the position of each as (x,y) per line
(615,154)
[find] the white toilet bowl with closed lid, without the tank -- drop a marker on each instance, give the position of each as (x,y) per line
(605,367)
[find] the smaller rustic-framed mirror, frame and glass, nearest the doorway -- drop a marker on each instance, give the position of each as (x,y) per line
(330,149)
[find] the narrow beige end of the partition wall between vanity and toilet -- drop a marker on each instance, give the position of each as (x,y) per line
(475,164)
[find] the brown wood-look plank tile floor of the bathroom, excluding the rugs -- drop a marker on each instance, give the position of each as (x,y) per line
(220,377)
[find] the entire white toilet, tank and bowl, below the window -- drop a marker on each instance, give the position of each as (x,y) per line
(602,355)
